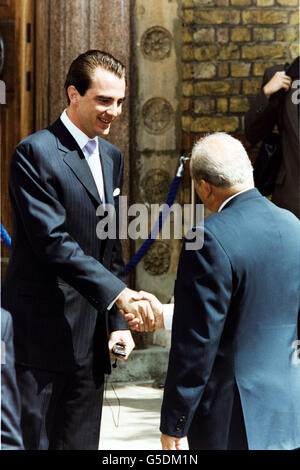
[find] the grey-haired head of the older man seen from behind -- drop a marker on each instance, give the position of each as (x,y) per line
(220,168)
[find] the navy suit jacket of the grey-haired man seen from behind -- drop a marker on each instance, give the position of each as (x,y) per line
(235,327)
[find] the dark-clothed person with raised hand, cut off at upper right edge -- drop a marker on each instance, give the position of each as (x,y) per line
(278,103)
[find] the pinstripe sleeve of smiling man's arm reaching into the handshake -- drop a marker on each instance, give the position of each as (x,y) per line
(33,190)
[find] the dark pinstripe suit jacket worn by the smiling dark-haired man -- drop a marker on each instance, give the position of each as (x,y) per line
(61,277)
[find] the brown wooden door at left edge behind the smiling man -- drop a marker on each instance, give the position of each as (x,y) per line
(17,114)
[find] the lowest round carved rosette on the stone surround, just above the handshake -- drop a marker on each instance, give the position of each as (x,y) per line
(157,260)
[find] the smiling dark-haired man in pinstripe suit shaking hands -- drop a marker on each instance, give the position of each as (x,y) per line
(65,280)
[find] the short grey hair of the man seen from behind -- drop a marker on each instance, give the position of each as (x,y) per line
(221,160)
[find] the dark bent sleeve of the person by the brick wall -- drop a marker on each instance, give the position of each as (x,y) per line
(262,115)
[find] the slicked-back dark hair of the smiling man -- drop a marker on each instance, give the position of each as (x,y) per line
(82,68)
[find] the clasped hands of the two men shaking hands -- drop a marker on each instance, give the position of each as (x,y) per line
(141,310)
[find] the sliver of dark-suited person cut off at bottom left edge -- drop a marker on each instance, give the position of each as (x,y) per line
(11,435)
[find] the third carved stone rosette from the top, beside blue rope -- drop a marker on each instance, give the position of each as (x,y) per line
(155,186)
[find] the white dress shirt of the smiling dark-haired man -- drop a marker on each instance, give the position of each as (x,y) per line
(93,160)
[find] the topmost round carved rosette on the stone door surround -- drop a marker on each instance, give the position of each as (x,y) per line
(156,43)
